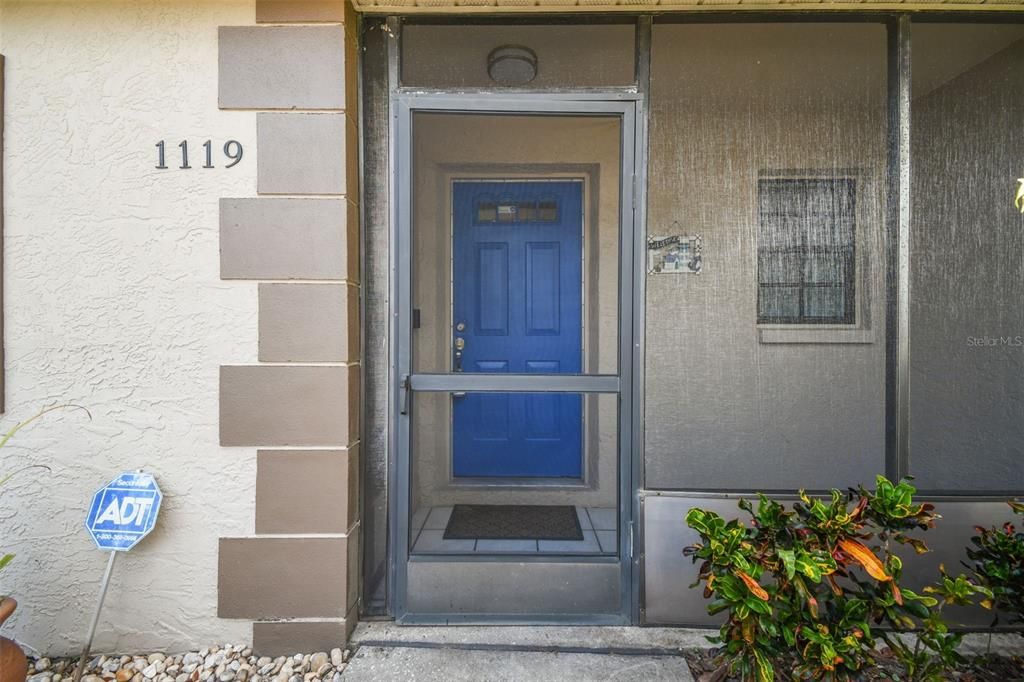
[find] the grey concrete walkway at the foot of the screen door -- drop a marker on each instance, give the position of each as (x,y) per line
(526,654)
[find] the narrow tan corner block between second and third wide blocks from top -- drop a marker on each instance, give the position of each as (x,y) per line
(309,323)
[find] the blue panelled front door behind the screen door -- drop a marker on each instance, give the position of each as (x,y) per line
(519,309)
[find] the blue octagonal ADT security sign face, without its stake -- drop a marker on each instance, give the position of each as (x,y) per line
(124,511)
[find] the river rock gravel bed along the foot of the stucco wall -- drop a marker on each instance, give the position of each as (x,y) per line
(218,664)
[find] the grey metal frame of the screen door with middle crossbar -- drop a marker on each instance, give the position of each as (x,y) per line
(627,106)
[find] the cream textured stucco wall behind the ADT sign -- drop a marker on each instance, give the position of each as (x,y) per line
(114,302)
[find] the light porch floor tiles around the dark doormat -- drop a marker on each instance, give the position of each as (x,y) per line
(598,524)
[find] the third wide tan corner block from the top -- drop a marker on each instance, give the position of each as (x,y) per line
(288,406)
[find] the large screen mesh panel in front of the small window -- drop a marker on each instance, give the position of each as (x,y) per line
(735,106)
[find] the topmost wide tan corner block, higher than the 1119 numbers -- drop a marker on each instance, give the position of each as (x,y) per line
(282,67)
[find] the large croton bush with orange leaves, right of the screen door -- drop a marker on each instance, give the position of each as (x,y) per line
(808,590)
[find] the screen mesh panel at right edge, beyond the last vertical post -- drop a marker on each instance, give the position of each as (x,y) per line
(967,296)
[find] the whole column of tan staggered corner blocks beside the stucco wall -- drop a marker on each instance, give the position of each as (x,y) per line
(297,575)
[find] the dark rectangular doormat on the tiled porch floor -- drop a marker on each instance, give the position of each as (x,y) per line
(514,523)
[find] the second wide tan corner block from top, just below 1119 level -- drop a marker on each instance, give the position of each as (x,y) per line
(288,239)
